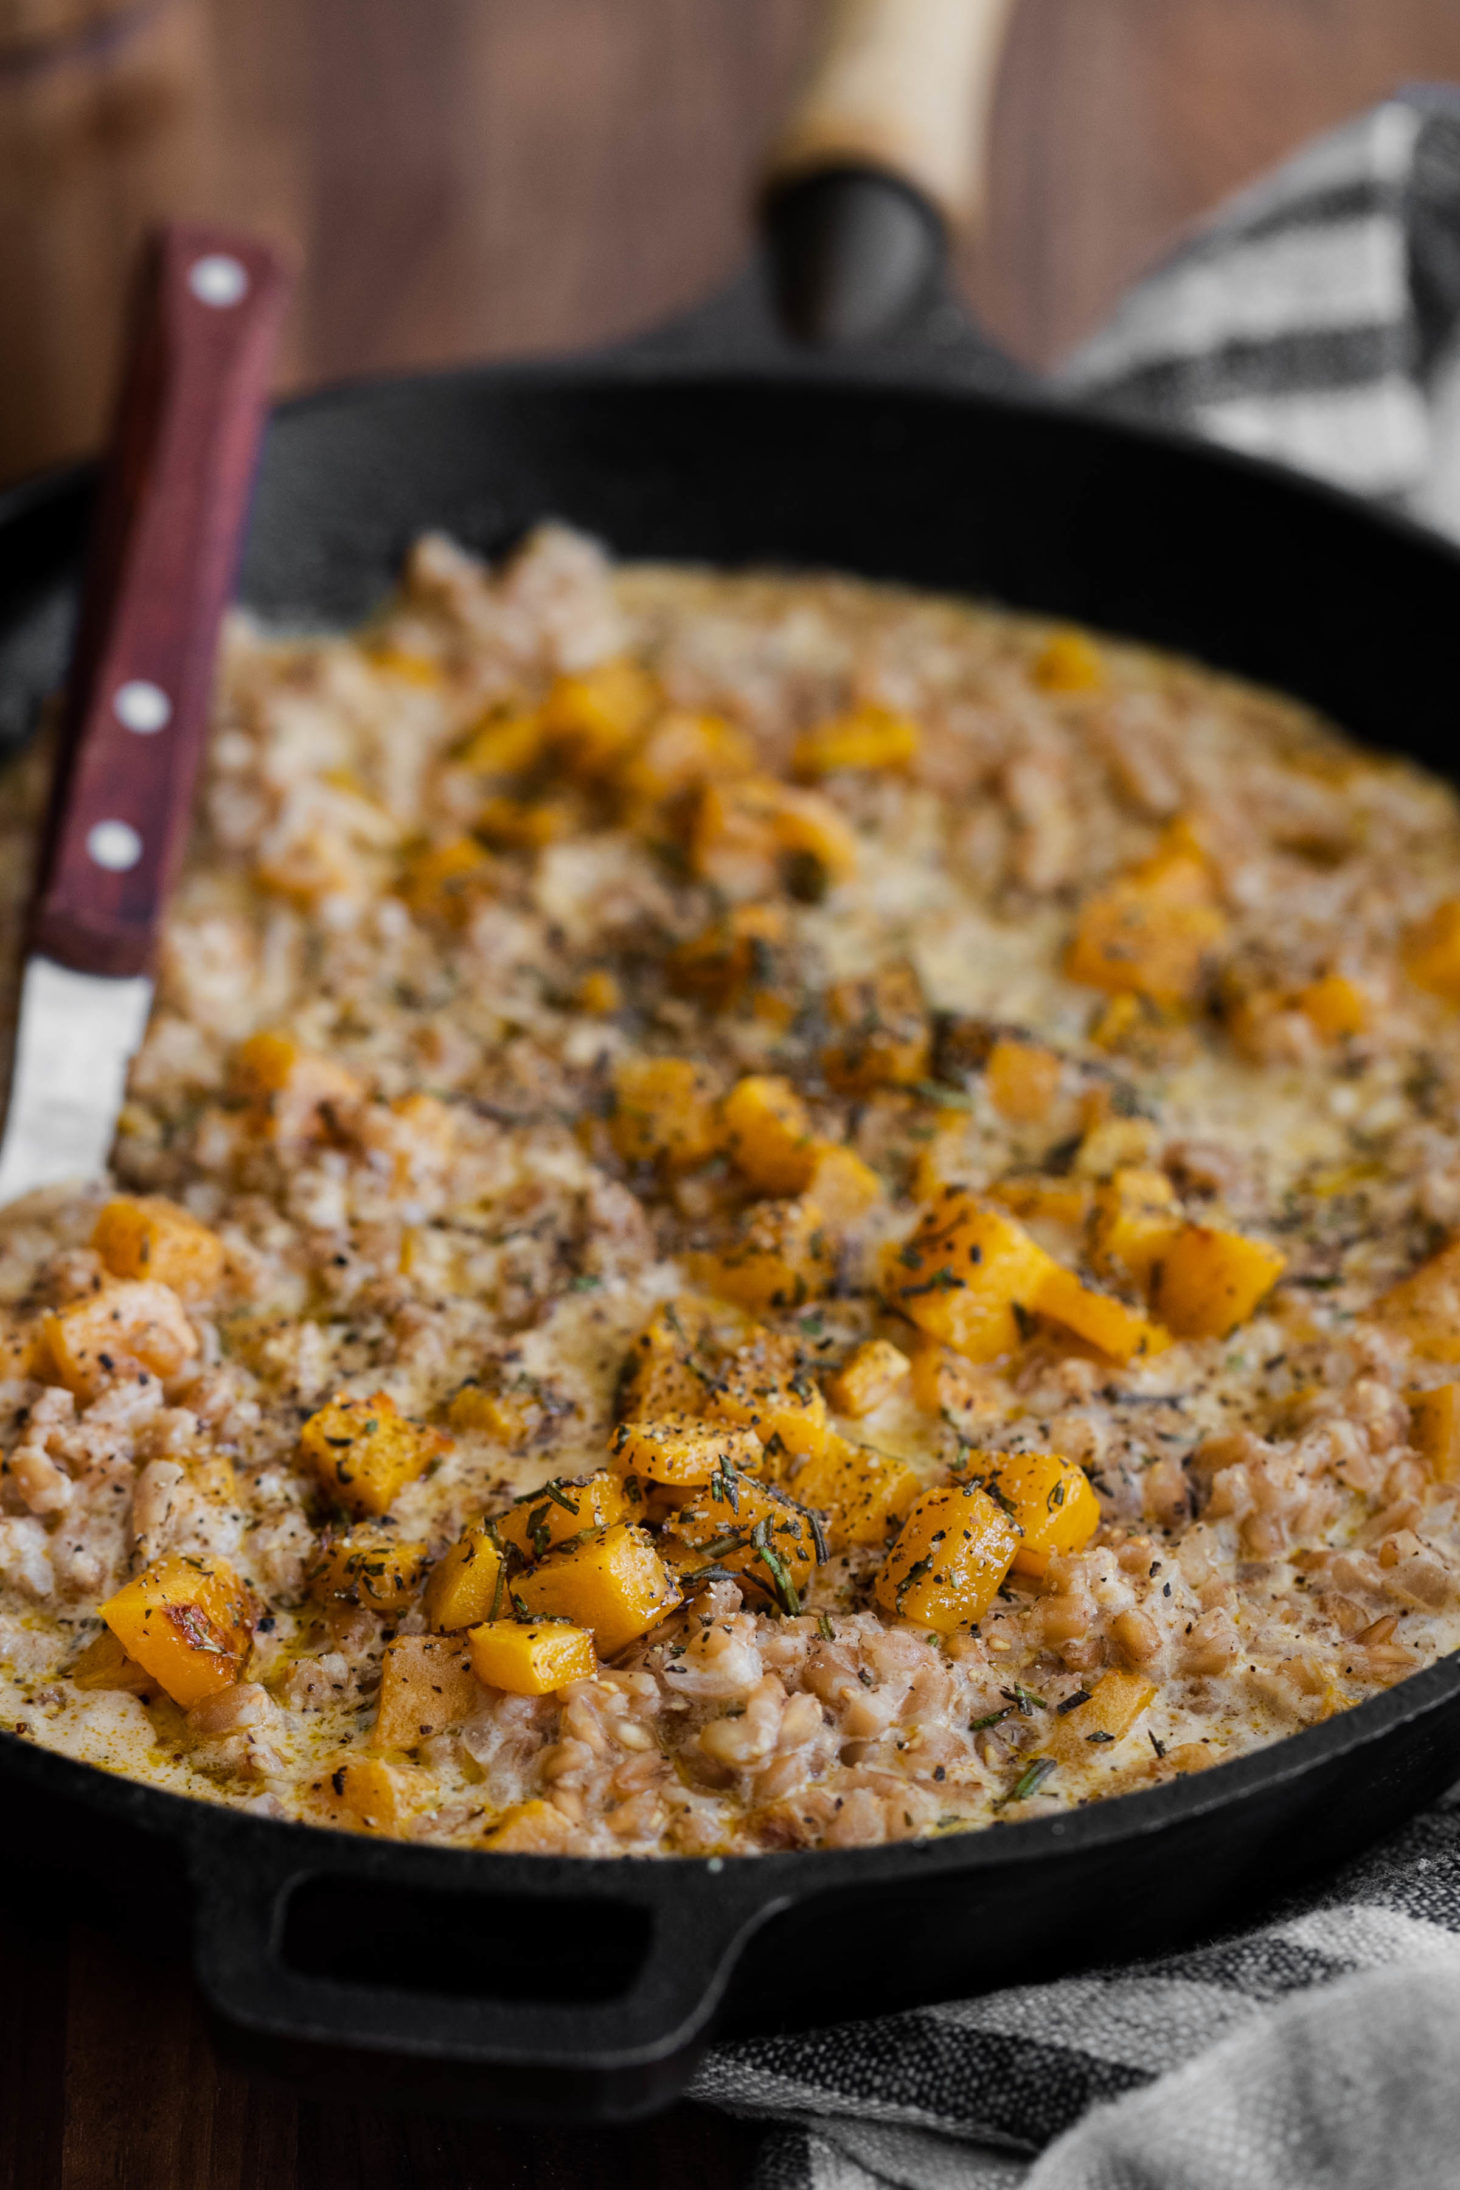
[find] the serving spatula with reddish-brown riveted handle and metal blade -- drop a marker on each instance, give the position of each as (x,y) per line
(163,560)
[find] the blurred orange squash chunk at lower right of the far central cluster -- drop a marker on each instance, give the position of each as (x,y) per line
(756,835)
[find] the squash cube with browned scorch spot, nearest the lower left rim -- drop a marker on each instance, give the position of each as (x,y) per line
(187,1622)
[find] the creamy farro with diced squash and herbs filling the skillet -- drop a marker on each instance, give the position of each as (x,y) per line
(758,1212)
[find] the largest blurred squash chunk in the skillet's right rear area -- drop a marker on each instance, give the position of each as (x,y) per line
(1155,932)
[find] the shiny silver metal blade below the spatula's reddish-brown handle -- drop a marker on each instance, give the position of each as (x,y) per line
(76,1039)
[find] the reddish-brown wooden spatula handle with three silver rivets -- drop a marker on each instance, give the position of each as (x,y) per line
(165,551)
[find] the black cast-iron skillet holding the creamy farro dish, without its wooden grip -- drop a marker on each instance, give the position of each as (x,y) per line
(537,1983)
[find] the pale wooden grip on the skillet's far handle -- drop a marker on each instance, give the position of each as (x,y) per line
(903,87)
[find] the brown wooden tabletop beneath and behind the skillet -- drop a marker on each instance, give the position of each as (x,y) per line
(476,178)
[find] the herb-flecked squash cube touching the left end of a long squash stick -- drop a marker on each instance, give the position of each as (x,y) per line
(971,1276)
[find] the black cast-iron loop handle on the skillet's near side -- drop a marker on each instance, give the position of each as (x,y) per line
(498,1963)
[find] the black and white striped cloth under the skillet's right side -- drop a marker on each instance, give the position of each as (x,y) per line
(1314,321)
